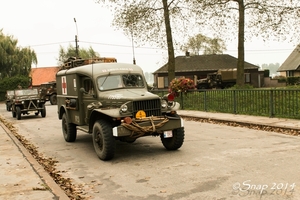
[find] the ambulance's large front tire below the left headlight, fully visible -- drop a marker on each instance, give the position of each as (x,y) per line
(103,140)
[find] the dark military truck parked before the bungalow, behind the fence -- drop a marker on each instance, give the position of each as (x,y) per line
(223,78)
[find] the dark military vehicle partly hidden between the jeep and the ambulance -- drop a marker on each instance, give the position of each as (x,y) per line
(48,92)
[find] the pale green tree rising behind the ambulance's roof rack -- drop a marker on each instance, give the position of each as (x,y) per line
(70,51)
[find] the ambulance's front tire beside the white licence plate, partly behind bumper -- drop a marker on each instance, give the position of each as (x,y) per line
(175,142)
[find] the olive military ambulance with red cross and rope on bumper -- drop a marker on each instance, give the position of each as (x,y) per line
(111,102)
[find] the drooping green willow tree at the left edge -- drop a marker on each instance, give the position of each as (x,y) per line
(14,60)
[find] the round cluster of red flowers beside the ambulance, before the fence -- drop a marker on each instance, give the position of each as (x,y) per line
(181,85)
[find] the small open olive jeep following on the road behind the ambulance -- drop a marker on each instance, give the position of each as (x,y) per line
(27,100)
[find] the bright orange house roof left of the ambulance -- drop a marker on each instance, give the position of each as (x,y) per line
(43,75)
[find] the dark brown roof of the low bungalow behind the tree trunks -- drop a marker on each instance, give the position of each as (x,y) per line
(212,62)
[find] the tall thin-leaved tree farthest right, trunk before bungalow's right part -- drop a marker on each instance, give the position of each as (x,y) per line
(263,18)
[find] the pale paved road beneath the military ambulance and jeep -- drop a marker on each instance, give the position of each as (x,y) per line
(215,162)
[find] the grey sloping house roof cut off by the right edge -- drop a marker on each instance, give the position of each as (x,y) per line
(292,62)
